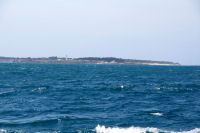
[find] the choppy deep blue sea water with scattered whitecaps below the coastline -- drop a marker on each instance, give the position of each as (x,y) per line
(99,98)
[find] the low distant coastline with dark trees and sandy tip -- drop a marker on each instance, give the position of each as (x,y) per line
(86,60)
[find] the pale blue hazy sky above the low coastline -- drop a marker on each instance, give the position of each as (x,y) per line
(163,30)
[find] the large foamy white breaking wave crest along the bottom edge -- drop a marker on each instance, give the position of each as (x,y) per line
(103,129)
